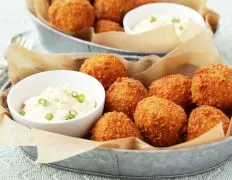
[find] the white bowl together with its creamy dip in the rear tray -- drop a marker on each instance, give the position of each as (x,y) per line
(155,15)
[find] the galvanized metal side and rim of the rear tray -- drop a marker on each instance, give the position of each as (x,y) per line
(55,41)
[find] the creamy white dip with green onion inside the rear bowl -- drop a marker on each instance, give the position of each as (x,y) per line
(157,21)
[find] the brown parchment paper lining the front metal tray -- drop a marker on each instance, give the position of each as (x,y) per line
(52,147)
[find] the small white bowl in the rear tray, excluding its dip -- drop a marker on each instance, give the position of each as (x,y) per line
(170,9)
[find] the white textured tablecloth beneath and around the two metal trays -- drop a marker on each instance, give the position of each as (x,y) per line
(14,165)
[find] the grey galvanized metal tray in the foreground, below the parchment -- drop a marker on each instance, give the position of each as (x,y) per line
(145,164)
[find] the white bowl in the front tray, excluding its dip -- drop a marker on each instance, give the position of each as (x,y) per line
(34,85)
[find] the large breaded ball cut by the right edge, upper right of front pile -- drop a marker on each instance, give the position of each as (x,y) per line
(212,86)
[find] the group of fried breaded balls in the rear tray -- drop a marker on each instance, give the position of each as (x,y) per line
(103,15)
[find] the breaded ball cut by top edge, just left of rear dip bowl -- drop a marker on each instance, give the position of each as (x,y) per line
(113,10)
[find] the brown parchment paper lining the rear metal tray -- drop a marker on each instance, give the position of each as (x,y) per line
(163,39)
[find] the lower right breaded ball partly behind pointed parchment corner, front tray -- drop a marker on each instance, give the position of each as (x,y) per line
(204,118)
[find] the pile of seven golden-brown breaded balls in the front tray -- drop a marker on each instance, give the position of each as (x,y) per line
(171,110)
